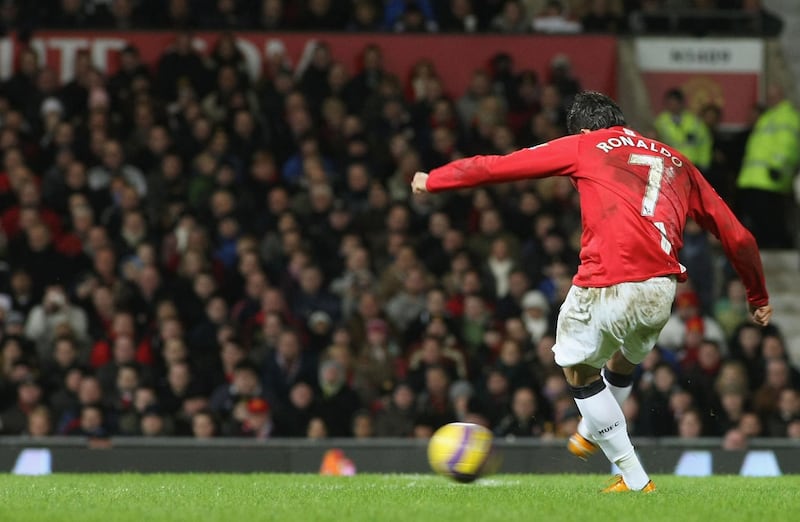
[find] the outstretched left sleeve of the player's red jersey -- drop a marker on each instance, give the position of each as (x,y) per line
(554,158)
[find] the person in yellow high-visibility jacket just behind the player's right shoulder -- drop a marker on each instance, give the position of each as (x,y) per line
(679,127)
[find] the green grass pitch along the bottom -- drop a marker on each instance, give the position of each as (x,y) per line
(244,498)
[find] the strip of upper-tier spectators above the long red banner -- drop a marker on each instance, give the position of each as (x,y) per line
(405,16)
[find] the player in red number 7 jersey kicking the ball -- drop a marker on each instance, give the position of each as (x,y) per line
(636,194)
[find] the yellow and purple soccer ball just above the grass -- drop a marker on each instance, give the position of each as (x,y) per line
(461,451)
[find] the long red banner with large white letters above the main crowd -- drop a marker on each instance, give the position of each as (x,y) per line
(593,58)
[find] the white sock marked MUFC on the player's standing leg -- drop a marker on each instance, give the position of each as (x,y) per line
(606,424)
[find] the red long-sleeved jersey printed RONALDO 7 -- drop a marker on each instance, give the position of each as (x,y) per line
(636,194)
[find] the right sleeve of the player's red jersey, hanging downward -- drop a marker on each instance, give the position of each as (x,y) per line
(714,215)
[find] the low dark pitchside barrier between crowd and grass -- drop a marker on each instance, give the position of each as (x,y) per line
(764,457)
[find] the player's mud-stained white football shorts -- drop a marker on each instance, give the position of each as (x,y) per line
(593,323)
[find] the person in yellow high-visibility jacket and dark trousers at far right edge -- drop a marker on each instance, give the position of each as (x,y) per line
(770,162)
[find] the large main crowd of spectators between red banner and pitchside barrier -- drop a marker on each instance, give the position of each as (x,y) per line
(188,252)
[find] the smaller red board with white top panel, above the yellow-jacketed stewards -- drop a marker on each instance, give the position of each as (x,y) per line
(724,72)
